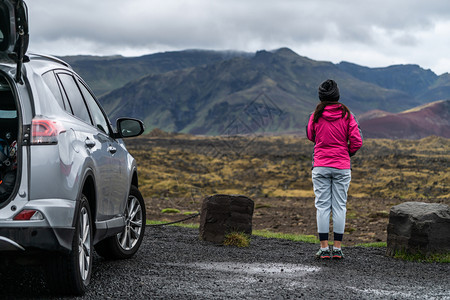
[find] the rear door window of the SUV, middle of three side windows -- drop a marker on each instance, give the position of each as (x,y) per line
(74,96)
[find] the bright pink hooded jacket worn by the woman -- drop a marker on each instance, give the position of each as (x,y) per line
(335,138)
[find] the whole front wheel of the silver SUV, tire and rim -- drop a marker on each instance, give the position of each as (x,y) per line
(125,244)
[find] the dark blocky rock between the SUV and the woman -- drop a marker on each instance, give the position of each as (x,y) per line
(222,214)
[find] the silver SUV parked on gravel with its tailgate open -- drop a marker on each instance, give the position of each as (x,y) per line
(67,182)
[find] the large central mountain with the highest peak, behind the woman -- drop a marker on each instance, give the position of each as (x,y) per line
(267,92)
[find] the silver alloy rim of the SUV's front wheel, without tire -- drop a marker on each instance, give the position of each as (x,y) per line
(133,224)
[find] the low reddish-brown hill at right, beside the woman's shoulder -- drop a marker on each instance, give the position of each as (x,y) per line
(429,119)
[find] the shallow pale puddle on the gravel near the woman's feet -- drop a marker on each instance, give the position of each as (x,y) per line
(267,269)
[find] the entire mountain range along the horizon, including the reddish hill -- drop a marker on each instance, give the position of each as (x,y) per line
(267,92)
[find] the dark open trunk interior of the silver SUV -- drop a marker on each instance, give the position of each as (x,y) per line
(9,125)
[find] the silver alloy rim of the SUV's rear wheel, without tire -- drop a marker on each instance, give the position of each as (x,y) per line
(84,244)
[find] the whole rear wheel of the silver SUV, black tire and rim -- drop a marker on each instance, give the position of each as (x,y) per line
(70,273)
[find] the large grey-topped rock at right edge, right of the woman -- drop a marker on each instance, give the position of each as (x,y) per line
(418,227)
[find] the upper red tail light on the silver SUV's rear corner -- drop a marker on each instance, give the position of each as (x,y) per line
(45,132)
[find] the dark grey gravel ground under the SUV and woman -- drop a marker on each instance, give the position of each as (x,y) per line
(174,264)
